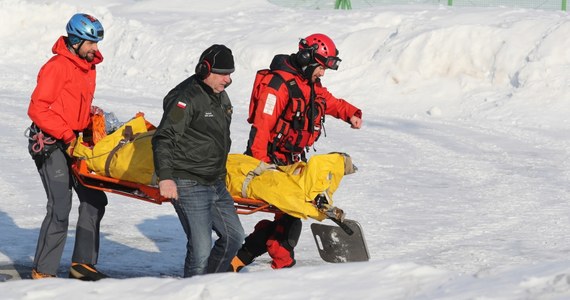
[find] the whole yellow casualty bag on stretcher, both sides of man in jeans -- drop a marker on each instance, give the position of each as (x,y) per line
(126,154)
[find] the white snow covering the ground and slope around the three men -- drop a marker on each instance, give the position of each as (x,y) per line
(462,188)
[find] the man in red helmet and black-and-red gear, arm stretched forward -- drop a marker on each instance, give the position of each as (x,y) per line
(287,113)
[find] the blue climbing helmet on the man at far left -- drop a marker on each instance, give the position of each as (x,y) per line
(84,27)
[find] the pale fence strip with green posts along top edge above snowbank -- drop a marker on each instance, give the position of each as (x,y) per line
(356,4)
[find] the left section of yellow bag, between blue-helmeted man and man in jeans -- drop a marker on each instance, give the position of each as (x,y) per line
(125,154)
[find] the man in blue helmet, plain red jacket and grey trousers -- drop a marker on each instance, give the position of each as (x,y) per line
(60,109)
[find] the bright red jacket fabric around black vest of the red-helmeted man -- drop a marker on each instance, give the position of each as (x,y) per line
(272,103)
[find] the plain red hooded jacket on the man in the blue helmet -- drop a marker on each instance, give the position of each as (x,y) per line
(61,101)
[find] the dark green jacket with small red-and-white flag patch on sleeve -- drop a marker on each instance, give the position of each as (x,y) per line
(192,140)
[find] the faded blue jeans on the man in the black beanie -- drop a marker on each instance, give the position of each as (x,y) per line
(201,209)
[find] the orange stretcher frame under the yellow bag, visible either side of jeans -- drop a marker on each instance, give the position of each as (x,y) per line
(244,206)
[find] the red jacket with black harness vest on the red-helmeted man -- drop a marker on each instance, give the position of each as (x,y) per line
(287,112)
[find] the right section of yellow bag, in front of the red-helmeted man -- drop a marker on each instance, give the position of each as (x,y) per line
(291,188)
